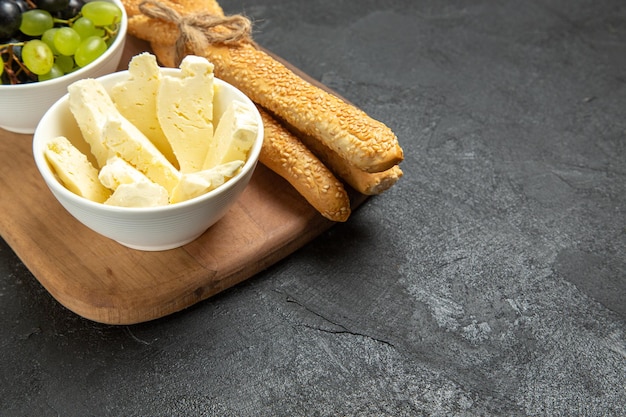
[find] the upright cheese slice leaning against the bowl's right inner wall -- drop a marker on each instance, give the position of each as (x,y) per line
(234,136)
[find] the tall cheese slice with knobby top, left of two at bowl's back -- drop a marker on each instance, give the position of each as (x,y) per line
(136,100)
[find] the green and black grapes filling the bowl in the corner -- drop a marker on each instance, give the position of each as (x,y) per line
(45,39)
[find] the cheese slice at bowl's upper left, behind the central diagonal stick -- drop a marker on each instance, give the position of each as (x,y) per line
(91,105)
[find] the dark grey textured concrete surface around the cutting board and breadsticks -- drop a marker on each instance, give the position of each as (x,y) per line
(491,281)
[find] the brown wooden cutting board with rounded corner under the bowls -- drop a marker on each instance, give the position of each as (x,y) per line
(106,282)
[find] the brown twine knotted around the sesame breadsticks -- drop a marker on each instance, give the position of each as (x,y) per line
(196,30)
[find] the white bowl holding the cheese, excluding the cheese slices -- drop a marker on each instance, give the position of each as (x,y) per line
(154,228)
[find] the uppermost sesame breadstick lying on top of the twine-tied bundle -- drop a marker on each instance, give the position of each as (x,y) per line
(366,143)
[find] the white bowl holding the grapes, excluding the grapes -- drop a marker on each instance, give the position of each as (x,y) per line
(23,105)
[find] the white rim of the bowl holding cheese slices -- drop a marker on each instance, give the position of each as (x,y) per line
(51,179)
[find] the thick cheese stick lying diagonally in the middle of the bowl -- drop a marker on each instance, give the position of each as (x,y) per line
(133,146)
